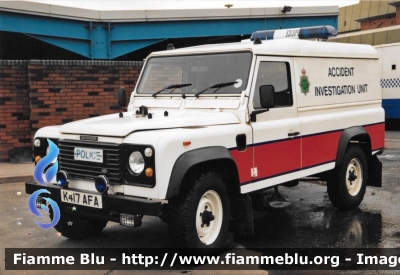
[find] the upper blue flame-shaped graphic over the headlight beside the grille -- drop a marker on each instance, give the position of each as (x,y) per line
(44,162)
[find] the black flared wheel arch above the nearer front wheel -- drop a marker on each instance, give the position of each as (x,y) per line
(215,158)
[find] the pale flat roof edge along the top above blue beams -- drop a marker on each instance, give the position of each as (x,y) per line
(134,15)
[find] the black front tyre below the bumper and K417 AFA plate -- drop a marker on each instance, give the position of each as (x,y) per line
(74,226)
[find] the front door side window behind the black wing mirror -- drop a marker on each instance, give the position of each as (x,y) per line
(278,75)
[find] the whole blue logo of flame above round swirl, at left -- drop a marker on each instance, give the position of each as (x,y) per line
(45,171)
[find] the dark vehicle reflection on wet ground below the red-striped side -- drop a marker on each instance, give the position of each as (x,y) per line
(316,225)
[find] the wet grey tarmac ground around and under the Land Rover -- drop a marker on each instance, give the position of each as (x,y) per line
(309,222)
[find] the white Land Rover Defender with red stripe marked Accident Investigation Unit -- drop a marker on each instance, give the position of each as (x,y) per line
(208,129)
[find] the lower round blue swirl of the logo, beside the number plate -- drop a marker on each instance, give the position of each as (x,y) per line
(35,211)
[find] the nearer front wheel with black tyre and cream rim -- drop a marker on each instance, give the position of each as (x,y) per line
(199,216)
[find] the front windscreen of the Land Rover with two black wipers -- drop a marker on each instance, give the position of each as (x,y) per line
(200,71)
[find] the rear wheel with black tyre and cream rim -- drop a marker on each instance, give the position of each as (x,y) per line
(346,187)
